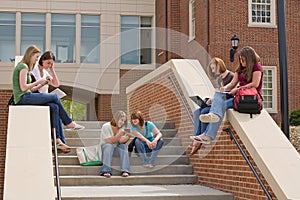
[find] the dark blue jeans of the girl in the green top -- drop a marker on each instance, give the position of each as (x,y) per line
(58,114)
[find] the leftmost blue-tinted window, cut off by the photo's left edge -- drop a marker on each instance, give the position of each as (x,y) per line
(7,37)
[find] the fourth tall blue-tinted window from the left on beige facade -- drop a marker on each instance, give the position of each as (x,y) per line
(90,39)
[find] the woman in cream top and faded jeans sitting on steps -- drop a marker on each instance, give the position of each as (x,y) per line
(113,142)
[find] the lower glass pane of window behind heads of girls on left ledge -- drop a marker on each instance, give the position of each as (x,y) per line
(33,35)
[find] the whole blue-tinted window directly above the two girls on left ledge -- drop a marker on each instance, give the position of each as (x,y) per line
(33,30)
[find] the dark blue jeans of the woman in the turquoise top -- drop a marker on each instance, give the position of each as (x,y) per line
(143,150)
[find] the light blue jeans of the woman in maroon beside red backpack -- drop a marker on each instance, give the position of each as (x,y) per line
(219,105)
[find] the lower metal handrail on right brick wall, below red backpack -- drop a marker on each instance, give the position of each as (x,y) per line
(228,130)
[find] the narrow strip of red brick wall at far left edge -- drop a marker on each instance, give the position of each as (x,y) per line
(5,96)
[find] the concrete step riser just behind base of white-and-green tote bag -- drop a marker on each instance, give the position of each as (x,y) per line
(134,160)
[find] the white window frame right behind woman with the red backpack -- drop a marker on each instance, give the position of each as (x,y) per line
(273,70)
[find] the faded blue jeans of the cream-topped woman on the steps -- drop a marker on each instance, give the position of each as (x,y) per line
(108,151)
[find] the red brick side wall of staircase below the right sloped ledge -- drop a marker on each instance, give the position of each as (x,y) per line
(219,165)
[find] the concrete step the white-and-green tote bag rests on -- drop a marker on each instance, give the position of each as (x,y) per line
(67,170)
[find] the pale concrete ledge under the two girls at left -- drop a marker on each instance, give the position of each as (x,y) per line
(28,165)
